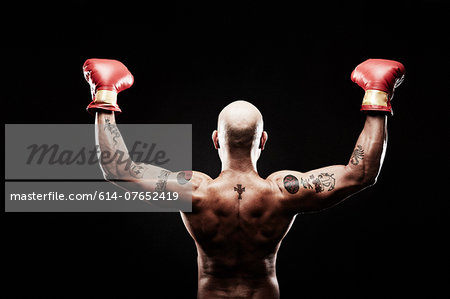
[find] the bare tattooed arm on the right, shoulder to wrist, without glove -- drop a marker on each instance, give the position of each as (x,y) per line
(325,187)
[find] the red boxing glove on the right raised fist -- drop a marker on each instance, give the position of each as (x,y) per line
(379,78)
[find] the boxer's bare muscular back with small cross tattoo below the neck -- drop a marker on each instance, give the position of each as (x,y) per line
(237,239)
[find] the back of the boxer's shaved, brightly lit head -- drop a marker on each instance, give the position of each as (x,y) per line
(240,124)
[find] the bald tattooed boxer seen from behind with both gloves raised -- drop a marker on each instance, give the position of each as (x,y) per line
(239,219)
